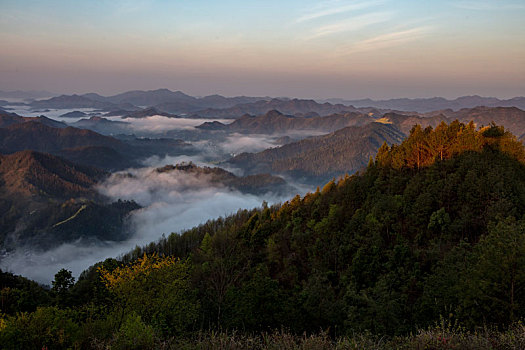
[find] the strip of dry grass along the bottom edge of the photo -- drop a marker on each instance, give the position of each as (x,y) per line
(442,336)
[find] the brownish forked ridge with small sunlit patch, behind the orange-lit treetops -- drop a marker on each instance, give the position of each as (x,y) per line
(317,159)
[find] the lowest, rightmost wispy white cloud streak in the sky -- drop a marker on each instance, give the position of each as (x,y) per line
(388,40)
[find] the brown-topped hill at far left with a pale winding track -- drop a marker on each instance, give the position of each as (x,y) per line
(46,201)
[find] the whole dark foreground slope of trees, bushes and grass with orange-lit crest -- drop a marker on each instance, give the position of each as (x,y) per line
(425,249)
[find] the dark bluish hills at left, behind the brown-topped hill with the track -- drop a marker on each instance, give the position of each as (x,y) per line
(82,145)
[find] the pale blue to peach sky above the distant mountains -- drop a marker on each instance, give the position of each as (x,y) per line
(298,48)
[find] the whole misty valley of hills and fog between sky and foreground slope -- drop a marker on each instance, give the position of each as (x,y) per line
(142,170)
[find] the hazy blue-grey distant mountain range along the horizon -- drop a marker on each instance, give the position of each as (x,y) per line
(216,106)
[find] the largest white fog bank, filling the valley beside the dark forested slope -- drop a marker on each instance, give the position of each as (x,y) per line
(171,202)
